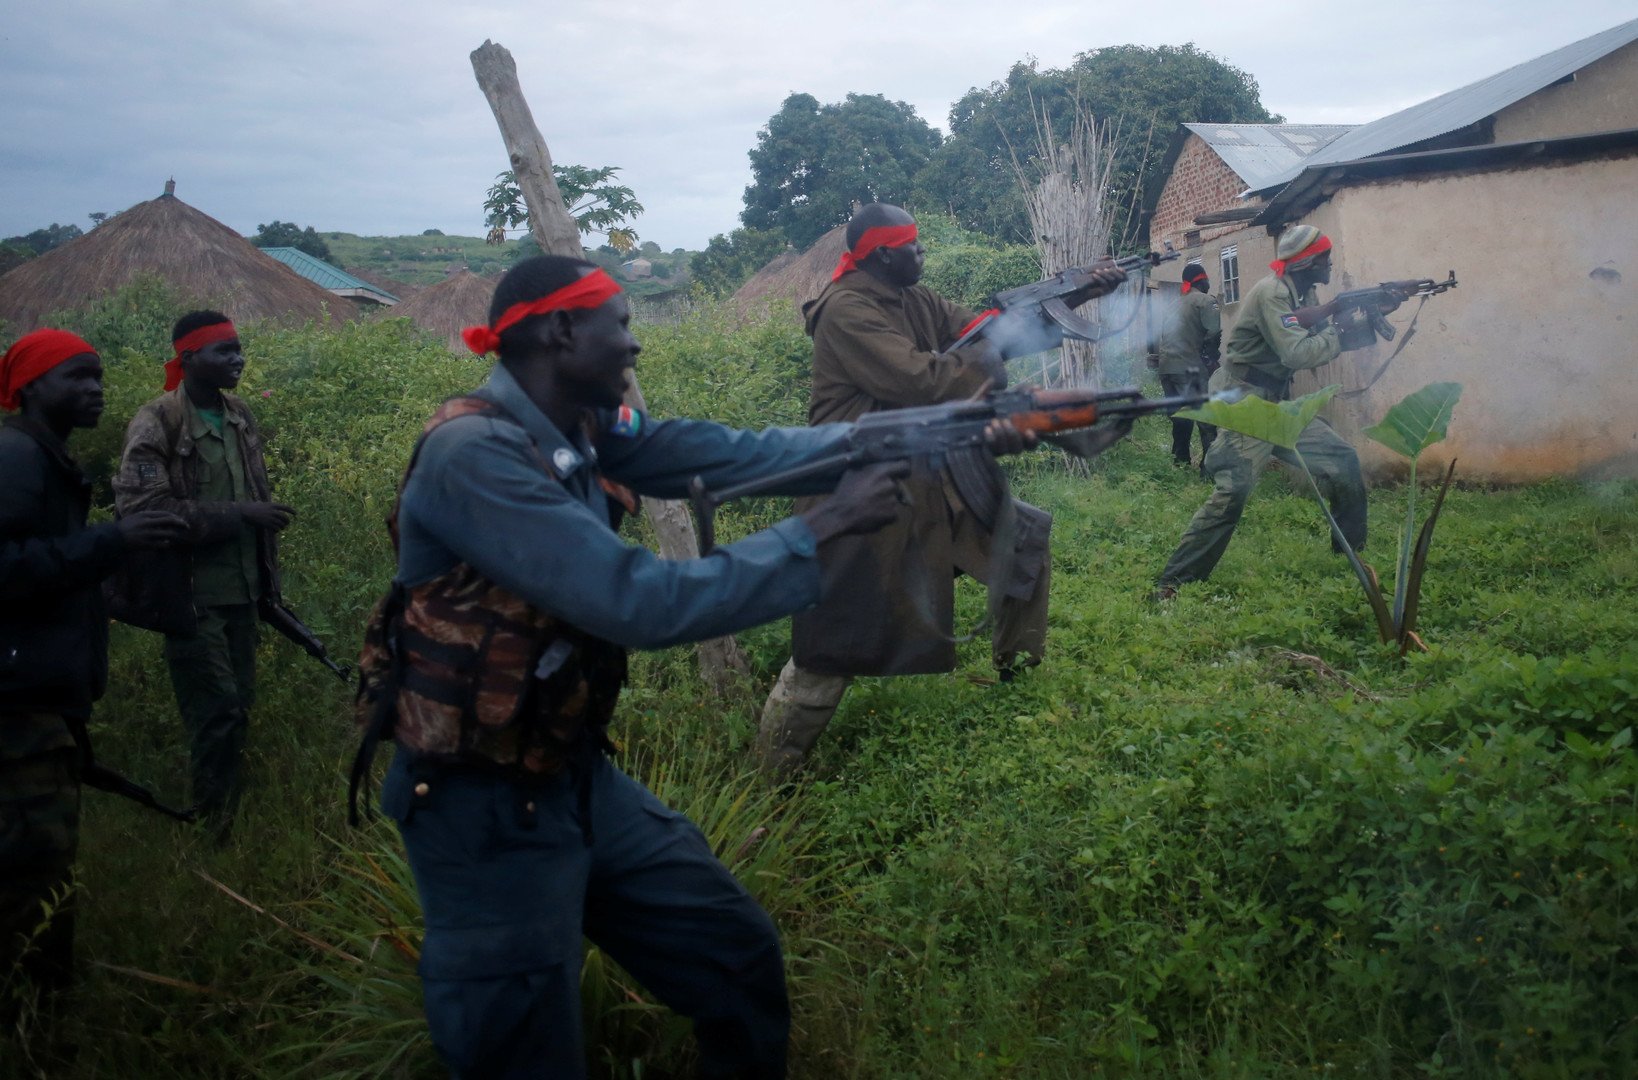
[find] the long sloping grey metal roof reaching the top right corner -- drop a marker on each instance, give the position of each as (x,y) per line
(1459,109)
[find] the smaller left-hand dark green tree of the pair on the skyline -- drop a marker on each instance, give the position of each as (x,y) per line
(813,163)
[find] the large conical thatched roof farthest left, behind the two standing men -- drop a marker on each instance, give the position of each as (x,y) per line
(192,252)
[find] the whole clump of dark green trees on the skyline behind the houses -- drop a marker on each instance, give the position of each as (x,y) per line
(815,160)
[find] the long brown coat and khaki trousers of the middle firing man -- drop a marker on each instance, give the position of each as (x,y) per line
(877,347)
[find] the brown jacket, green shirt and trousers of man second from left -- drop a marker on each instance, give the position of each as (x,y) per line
(199,465)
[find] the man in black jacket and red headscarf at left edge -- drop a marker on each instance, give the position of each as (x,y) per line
(53,642)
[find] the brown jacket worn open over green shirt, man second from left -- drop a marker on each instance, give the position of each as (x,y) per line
(160,471)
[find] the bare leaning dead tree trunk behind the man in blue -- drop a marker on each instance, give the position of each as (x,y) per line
(722,661)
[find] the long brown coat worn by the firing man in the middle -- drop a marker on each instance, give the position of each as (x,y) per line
(890,597)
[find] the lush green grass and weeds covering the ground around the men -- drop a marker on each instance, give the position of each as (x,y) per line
(1229,837)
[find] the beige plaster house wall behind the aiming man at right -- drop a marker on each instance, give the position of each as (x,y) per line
(1542,334)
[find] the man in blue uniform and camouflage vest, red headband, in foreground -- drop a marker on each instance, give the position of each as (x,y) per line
(515,607)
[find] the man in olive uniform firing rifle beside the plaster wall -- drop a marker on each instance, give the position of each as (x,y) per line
(1265,348)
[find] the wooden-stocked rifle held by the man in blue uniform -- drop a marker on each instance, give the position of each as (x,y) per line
(952,437)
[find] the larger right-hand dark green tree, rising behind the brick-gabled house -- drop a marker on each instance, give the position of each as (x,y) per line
(1139,93)
